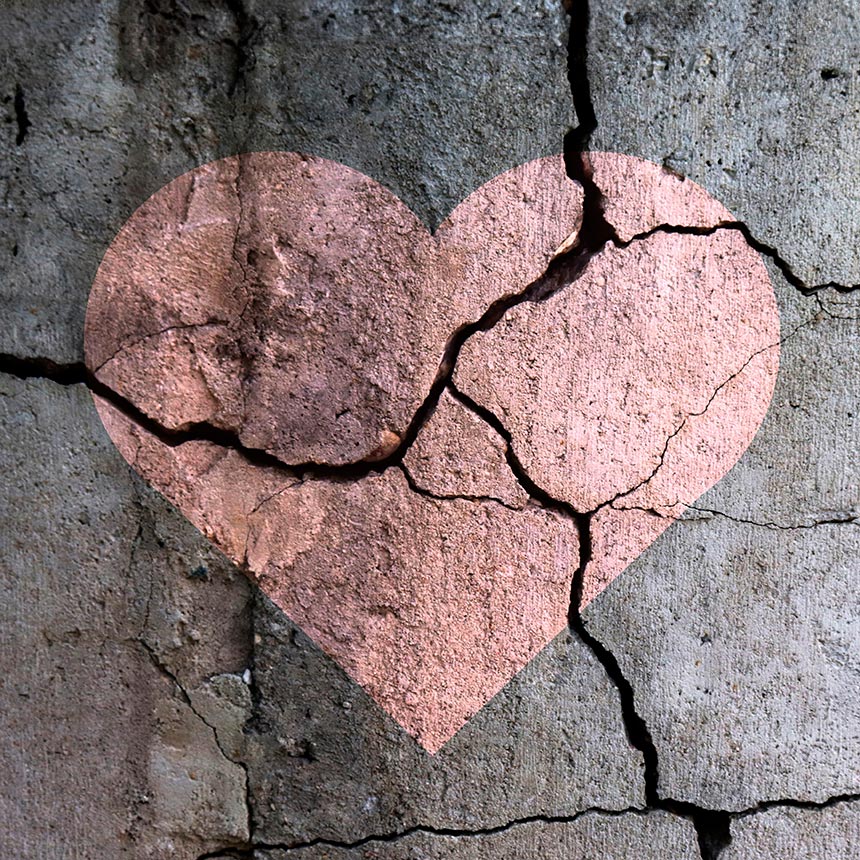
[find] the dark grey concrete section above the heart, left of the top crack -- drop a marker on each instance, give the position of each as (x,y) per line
(123,97)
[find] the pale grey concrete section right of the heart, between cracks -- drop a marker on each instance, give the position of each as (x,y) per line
(741,638)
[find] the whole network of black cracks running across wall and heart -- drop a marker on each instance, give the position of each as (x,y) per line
(712,826)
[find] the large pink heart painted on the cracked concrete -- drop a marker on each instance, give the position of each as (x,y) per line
(266,321)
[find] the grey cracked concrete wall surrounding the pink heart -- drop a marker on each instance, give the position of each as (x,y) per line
(156,704)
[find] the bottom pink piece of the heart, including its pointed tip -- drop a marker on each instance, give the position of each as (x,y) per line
(431,605)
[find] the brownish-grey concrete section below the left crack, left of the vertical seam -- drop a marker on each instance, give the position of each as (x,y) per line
(101,582)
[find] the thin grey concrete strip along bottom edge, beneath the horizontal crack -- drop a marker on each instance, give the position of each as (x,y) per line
(611,838)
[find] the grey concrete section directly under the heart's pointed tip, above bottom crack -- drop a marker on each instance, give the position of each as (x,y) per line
(326,762)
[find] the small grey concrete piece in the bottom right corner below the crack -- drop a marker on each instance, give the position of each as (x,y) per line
(796,834)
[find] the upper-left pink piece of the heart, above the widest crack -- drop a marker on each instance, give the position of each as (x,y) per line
(300,305)
